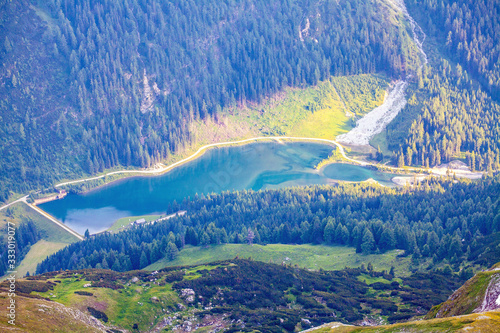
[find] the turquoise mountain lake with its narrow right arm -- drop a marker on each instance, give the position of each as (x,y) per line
(254,166)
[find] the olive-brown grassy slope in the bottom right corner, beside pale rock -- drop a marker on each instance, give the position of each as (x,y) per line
(469,297)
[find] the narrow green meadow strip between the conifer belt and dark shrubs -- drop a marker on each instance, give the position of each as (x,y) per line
(307,256)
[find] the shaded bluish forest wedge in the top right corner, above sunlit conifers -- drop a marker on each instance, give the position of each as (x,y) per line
(469,32)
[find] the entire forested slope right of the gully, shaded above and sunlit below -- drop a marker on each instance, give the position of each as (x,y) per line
(453,111)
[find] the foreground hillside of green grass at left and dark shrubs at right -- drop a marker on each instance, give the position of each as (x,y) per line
(235,295)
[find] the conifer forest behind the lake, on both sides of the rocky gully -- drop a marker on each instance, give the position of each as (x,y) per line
(90,86)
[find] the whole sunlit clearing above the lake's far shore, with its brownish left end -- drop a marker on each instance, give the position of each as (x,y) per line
(290,112)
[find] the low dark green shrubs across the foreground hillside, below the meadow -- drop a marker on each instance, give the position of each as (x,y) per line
(271,297)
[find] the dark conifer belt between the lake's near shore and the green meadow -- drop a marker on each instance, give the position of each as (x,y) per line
(430,221)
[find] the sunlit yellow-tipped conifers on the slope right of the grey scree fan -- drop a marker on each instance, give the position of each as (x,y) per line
(453,115)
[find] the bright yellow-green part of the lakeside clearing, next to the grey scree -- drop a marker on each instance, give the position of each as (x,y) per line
(322,111)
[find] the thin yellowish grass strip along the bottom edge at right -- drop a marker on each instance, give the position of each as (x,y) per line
(478,322)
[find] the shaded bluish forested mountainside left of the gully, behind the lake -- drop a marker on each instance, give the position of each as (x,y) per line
(90,85)
